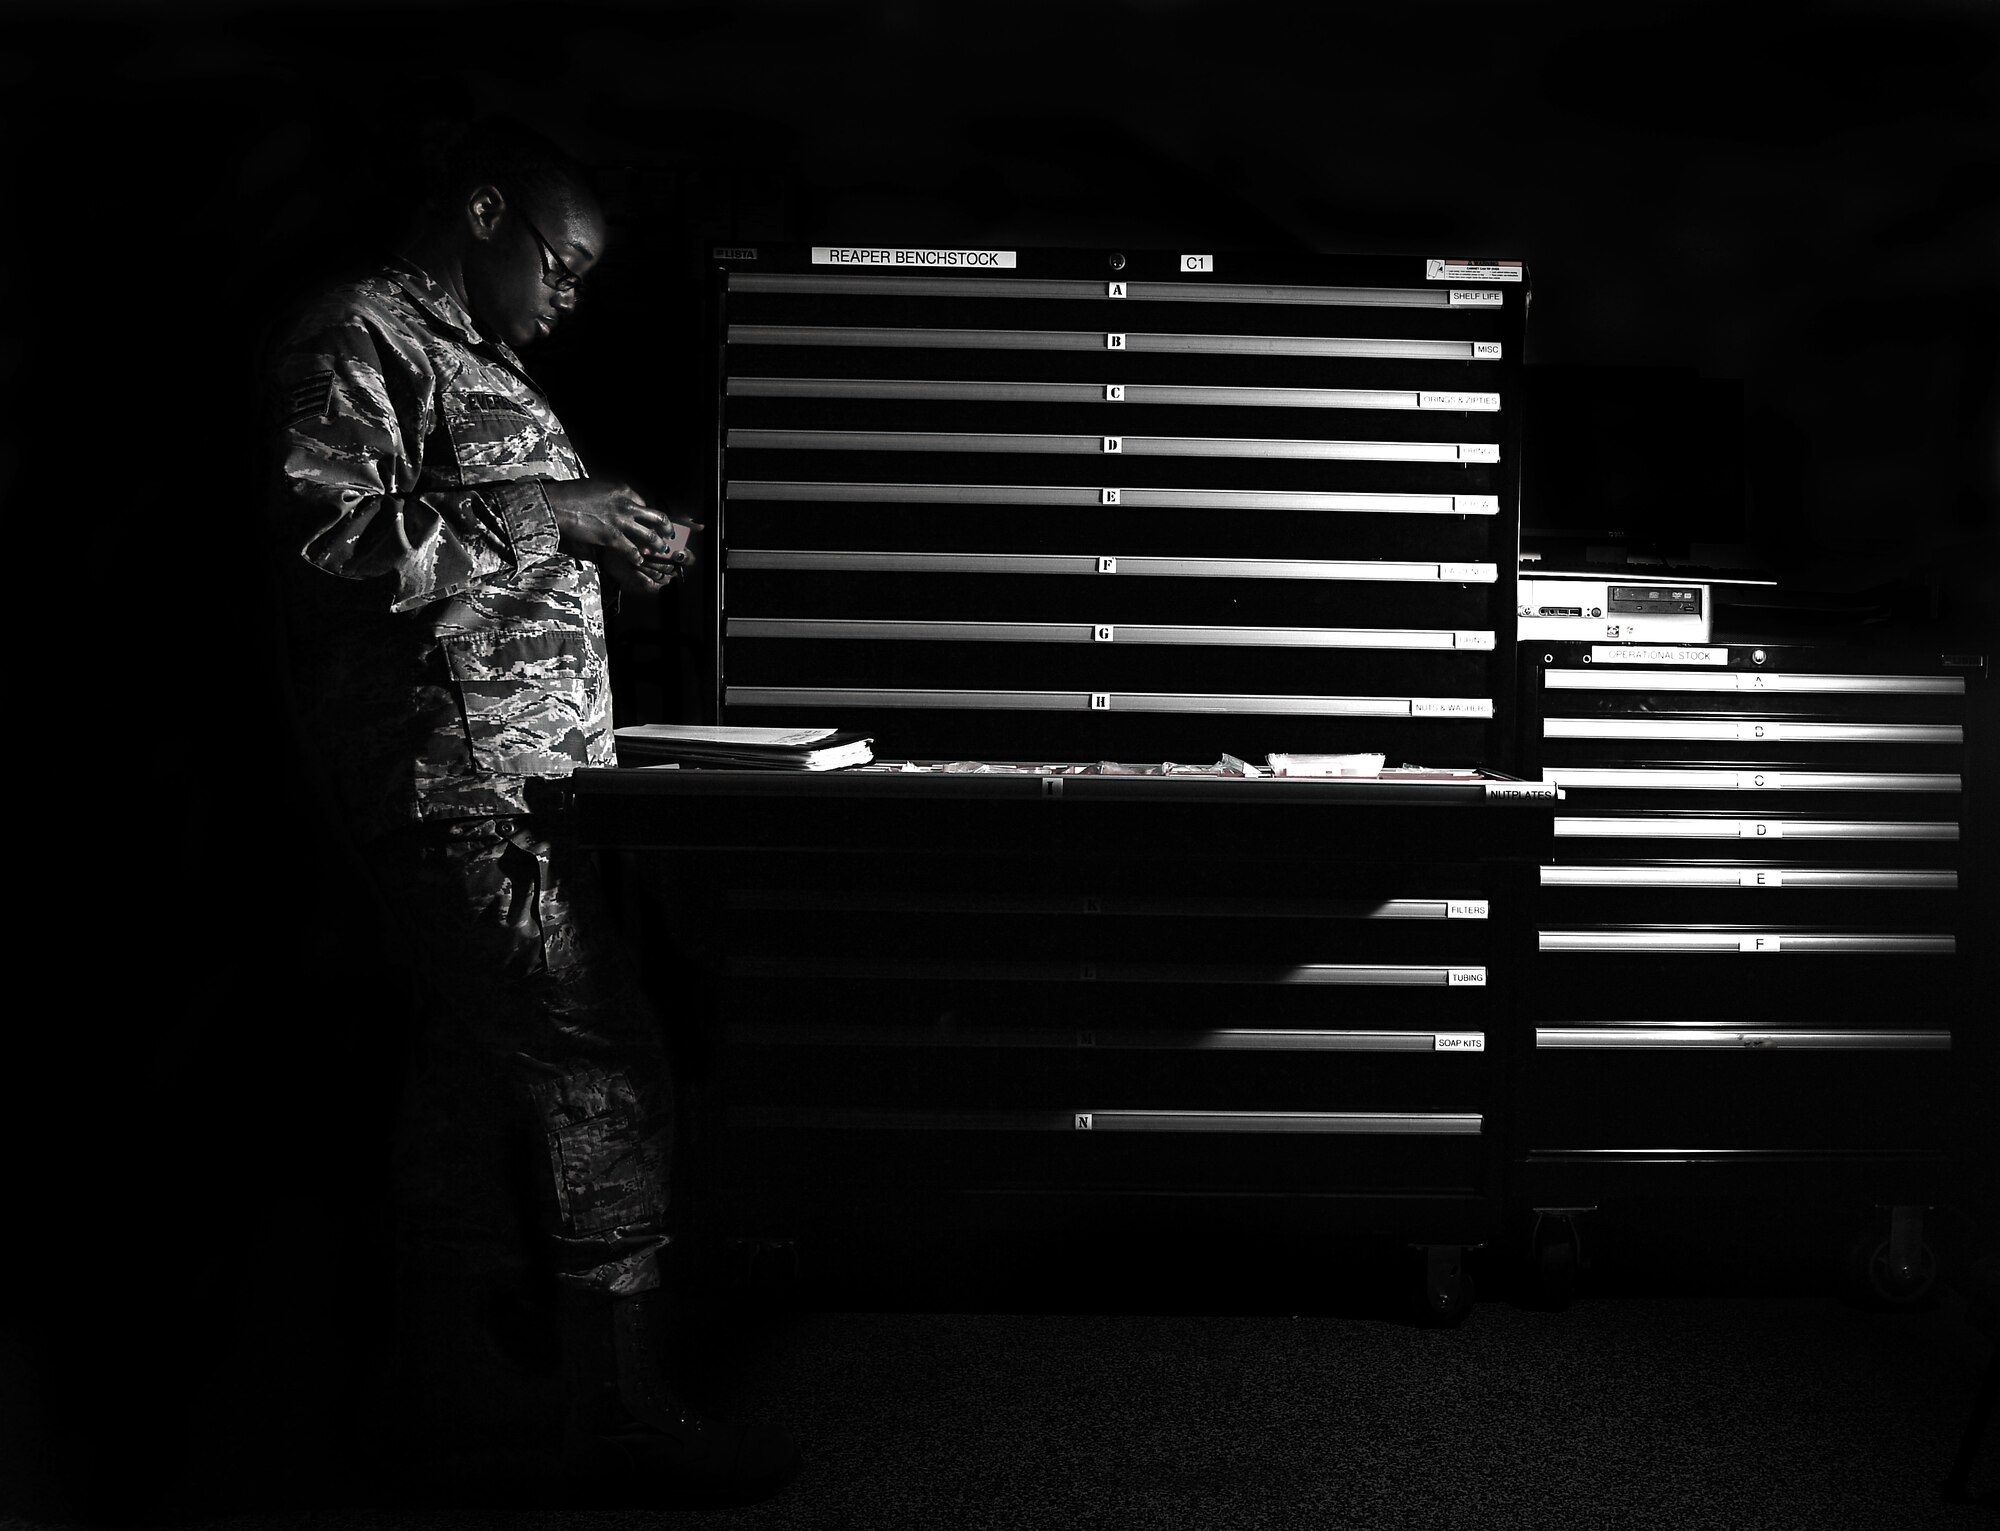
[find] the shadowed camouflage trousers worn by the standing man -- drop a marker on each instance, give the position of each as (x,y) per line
(539,1096)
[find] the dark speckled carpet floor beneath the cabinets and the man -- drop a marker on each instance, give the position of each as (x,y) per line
(1619,1412)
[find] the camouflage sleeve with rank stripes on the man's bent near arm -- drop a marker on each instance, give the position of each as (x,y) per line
(353,415)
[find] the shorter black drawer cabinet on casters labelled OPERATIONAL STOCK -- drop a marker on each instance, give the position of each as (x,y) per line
(1749,966)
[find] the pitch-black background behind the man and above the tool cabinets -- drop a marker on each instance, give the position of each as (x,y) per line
(1795,199)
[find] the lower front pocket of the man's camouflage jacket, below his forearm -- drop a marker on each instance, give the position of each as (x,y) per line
(525,699)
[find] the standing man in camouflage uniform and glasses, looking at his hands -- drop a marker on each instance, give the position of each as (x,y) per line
(449,659)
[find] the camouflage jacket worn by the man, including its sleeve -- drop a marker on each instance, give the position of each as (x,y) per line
(445,651)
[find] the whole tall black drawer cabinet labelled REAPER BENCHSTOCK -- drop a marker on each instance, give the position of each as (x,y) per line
(1067,507)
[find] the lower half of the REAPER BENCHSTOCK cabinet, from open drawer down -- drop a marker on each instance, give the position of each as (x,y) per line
(1033,1004)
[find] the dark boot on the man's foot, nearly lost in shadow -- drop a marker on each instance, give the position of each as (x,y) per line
(631,1440)
